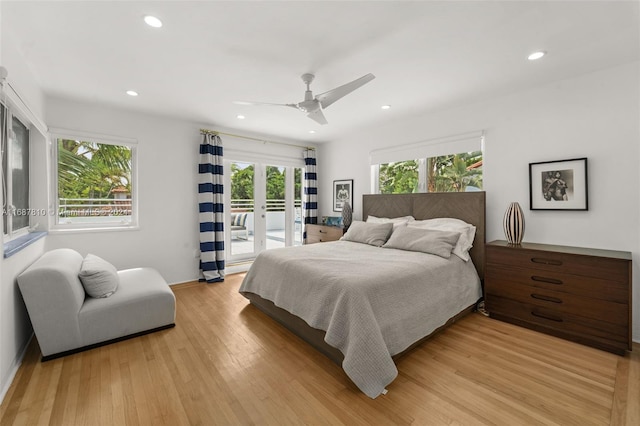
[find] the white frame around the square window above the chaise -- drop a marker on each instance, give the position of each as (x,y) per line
(54,222)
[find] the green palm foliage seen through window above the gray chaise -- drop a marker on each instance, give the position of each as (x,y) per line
(92,170)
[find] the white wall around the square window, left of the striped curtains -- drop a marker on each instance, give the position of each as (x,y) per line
(167,181)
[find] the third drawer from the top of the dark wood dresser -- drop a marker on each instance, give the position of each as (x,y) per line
(597,309)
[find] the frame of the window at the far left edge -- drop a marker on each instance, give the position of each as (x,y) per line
(7,175)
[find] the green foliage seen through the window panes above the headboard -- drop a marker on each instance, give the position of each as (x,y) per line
(448,173)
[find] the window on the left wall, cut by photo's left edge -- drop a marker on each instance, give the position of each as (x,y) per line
(15,174)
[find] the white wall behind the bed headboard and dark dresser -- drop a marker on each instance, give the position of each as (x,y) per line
(594,116)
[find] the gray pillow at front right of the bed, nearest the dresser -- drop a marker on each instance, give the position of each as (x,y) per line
(431,241)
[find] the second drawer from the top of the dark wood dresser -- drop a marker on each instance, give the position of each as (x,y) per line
(499,277)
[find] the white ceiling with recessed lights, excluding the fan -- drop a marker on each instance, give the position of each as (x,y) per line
(425,55)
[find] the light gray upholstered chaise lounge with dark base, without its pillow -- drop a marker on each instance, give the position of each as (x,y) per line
(67,320)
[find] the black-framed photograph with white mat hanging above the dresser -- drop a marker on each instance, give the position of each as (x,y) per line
(558,185)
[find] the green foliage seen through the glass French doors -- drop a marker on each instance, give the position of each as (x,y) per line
(242,183)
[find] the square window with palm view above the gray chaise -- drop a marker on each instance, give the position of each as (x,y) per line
(95,183)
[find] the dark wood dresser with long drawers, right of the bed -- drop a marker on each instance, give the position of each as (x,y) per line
(578,294)
